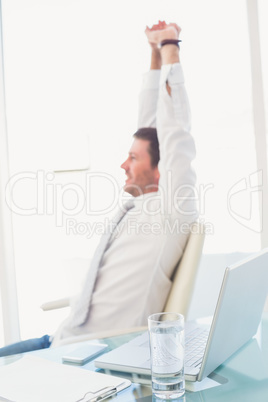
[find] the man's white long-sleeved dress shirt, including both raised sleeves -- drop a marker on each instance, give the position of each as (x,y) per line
(133,280)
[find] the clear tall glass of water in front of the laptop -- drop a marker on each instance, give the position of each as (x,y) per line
(166,333)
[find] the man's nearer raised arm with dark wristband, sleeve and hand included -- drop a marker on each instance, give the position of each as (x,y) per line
(177,148)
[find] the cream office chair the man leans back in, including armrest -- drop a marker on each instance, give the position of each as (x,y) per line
(180,295)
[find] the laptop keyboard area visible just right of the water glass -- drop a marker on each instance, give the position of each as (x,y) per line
(195,344)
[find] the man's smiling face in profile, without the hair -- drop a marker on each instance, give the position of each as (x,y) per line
(141,176)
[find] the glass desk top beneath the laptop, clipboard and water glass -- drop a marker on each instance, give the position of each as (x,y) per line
(243,377)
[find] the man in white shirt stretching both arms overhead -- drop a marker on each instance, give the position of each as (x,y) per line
(130,276)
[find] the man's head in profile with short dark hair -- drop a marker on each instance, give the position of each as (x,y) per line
(141,166)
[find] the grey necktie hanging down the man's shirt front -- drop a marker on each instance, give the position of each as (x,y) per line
(81,309)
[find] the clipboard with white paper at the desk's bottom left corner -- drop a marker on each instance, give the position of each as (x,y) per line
(33,379)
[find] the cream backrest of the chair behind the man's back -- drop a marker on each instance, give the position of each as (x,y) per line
(184,277)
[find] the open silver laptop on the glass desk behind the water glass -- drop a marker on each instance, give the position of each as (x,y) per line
(236,319)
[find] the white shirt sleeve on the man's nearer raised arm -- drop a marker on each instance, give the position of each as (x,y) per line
(177,147)
